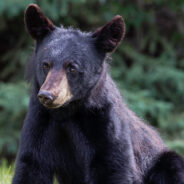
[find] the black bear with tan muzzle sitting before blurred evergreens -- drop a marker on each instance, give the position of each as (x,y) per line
(78,128)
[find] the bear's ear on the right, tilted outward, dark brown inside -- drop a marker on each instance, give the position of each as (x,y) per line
(109,36)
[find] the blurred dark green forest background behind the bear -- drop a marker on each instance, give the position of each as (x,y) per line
(148,66)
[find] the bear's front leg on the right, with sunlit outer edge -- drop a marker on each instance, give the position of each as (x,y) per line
(115,162)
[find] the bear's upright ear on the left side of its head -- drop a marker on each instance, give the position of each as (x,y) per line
(37,23)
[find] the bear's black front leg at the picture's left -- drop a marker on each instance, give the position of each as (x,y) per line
(33,161)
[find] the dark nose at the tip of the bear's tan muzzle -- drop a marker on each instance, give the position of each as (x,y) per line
(46,97)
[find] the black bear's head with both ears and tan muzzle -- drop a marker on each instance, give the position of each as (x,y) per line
(67,62)
